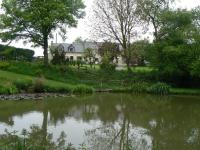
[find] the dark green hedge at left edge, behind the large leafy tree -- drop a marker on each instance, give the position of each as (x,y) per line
(13,53)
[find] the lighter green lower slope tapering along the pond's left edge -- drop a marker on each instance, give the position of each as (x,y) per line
(12,83)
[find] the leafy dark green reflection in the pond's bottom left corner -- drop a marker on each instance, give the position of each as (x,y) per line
(35,139)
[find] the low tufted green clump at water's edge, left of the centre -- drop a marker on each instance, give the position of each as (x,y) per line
(82,89)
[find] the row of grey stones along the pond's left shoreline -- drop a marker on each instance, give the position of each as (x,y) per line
(35,96)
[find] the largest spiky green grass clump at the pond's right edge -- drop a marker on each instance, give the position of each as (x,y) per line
(159,89)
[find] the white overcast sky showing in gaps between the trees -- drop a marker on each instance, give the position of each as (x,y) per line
(82,28)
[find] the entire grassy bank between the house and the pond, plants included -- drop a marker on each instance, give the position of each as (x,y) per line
(34,77)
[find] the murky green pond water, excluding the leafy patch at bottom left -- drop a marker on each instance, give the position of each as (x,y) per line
(109,121)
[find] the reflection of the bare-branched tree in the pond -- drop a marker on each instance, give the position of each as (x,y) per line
(121,135)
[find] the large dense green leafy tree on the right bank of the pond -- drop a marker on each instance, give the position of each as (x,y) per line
(175,50)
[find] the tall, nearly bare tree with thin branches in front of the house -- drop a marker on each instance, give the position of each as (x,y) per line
(116,20)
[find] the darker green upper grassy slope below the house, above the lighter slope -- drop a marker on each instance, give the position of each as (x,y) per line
(96,78)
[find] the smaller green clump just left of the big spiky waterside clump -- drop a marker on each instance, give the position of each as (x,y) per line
(140,87)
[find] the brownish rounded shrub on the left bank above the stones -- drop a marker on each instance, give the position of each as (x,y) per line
(39,85)
